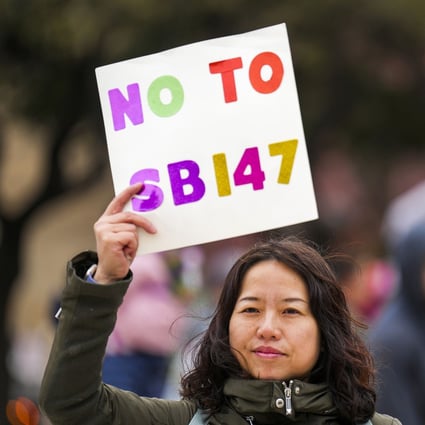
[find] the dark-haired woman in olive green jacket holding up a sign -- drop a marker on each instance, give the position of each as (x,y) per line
(281,347)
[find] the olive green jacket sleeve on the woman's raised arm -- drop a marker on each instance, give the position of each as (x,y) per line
(72,391)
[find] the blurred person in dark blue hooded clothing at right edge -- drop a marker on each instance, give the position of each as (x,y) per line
(397,340)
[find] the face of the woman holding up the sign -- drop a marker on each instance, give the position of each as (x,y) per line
(272,331)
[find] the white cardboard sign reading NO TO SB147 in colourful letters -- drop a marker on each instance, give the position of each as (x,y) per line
(214,131)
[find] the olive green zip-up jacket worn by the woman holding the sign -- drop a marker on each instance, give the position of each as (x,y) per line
(72,392)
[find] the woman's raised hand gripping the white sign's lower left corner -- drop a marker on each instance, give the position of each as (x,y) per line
(117,237)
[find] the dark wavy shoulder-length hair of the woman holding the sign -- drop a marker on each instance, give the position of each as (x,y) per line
(345,364)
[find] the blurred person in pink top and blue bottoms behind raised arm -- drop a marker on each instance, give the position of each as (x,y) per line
(147,331)
